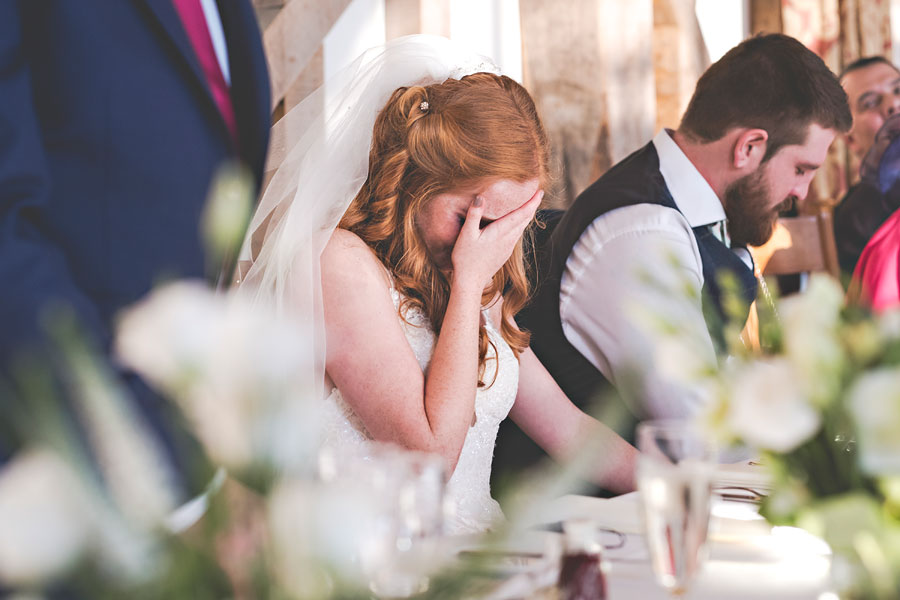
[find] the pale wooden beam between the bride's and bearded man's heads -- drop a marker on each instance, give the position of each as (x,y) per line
(589,67)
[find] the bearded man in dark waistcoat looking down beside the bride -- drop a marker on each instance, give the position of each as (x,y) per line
(654,238)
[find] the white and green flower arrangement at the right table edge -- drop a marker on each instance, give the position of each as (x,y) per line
(822,408)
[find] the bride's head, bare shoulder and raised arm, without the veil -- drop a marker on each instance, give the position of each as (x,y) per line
(440,219)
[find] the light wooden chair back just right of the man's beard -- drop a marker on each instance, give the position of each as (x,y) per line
(800,244)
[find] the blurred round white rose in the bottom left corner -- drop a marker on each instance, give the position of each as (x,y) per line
(45,518)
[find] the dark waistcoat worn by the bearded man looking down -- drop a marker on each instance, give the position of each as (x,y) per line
(635,180)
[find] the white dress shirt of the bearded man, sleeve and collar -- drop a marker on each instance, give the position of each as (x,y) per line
(638,266)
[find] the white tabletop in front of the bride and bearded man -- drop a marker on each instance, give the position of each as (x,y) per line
(748,559)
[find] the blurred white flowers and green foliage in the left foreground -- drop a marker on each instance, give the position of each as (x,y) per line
(90,508)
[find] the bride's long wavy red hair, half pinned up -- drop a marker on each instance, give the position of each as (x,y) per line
(476,129)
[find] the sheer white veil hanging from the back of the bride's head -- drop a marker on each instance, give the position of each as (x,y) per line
(317,177)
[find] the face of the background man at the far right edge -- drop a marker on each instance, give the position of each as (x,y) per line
(874,95)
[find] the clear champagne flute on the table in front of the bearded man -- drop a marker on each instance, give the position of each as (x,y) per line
(674,476)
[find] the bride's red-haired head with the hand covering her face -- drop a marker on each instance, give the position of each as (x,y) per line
(477,136)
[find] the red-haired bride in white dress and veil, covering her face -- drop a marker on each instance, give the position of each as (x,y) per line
(410,265)
